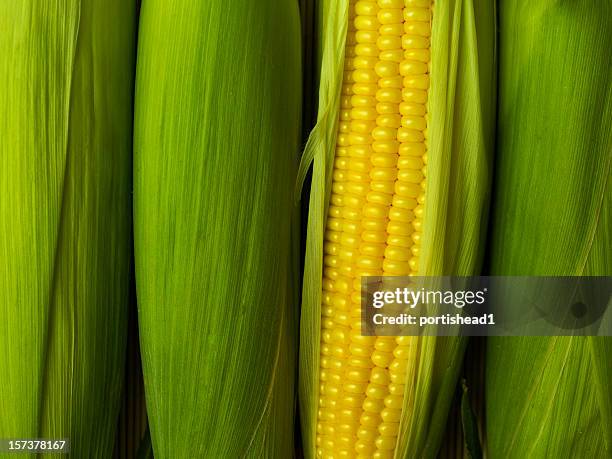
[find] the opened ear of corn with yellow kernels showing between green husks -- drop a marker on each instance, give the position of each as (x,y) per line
(401,159)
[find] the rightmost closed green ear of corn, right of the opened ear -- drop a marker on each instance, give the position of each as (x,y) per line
(551,396)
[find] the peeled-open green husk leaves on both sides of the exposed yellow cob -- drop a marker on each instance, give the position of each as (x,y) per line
(462,114)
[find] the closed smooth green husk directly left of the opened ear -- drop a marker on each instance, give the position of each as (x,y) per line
(217,131)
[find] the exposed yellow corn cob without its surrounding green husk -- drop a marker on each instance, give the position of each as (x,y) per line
(374,222)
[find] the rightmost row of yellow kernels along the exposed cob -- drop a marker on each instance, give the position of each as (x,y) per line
(405,217)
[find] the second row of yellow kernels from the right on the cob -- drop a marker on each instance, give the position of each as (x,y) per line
(383,174)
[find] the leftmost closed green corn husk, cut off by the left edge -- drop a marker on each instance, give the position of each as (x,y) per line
(66,85)
